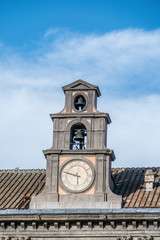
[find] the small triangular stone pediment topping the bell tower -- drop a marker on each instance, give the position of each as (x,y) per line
(81,85)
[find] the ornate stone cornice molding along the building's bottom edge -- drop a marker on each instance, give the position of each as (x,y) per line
(80,226)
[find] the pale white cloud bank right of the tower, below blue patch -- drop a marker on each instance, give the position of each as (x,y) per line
(134,133)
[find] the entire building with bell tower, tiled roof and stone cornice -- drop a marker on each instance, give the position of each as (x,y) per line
(79,196)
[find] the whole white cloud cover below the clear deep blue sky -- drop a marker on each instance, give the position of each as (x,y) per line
(125,65)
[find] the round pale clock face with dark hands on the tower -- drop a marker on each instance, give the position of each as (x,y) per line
(77,175)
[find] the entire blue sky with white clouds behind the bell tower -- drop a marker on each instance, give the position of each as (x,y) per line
(45,45)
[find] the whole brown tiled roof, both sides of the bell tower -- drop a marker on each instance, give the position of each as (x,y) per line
(17,187)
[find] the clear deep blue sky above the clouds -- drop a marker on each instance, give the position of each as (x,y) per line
(24,22)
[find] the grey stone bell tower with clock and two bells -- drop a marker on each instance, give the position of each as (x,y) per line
(78,171)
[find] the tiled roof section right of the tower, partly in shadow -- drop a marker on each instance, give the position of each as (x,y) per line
(129,183)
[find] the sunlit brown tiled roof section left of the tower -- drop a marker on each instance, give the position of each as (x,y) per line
(17,187)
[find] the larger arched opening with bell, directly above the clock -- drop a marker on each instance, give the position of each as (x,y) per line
(78,136)
